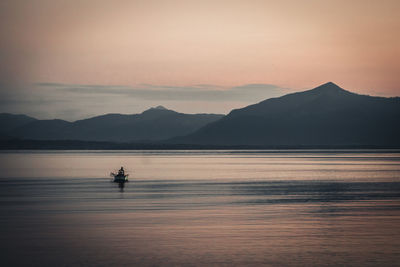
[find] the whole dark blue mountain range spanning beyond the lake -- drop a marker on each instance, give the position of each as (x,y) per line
(326,115)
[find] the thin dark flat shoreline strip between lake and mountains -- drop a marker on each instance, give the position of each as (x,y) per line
(18,144)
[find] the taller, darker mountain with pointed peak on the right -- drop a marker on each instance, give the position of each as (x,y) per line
(326,115)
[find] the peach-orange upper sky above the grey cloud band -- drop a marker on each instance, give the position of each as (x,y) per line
(289,43)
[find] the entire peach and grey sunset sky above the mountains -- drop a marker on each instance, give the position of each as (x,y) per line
(74,59)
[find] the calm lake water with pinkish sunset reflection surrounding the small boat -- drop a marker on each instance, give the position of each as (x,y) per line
(296,208)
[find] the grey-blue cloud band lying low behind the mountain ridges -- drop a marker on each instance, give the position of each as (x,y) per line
(78,101)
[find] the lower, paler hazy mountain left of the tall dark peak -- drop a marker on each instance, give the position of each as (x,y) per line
(152,125)
